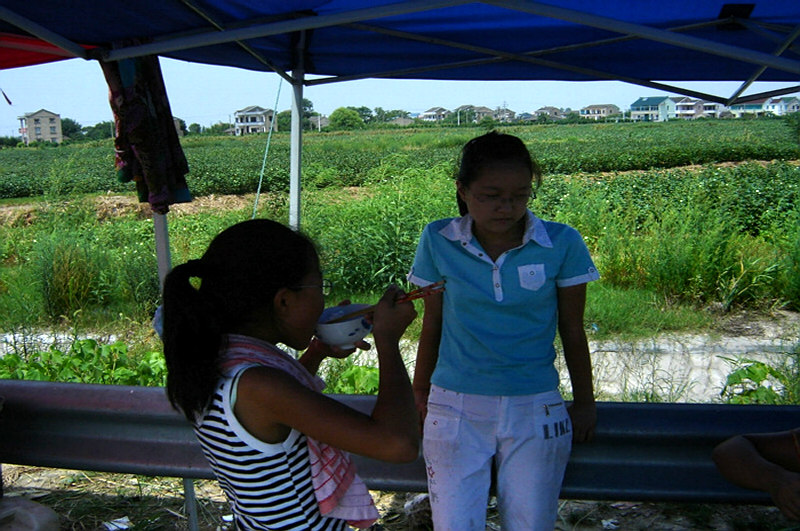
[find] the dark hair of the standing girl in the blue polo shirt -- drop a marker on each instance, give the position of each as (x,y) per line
(488,149)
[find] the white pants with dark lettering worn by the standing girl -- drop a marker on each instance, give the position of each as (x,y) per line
(529,438)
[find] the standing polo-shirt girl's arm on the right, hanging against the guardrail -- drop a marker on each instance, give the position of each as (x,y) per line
(571,305)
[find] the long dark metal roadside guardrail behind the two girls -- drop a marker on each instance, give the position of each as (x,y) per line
(641,452)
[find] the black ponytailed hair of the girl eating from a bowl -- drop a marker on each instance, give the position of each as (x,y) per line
(239,274)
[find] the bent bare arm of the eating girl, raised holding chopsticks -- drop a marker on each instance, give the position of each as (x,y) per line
(270,402)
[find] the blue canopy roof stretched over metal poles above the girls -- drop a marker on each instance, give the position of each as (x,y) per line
(573,40)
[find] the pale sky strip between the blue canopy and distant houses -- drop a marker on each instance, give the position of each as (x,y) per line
(207,94)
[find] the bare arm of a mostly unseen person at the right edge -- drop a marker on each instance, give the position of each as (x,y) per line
(769,462)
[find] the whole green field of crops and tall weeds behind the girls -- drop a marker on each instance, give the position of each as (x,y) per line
(684,219)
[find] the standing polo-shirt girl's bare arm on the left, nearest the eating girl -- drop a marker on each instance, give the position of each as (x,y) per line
(427,352)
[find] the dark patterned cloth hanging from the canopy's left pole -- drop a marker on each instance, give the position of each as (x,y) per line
(147,150)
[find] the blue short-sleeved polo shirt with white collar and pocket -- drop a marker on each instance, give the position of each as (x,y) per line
(499,319)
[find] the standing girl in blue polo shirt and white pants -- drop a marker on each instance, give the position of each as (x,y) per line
(485,380)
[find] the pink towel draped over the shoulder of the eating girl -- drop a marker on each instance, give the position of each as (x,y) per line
(339,491)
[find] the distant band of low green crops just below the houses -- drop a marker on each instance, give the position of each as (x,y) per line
(232,165)
